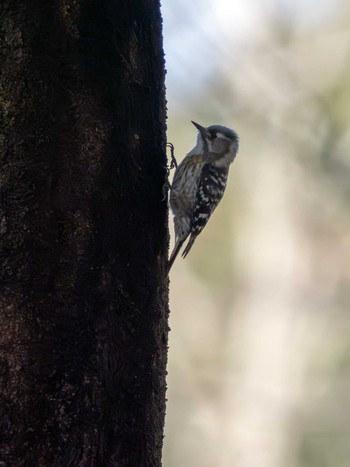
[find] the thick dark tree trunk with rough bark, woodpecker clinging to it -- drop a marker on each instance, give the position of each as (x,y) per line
(83,288)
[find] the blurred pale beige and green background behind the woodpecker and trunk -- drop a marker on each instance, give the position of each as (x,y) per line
(259,350)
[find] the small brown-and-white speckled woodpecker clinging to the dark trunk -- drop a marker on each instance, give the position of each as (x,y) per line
(199,183)
